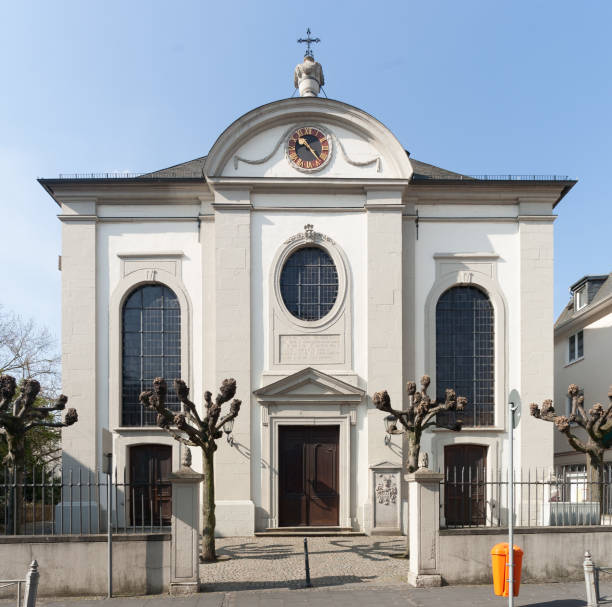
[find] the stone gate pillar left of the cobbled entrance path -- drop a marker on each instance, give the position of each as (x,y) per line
(185,545)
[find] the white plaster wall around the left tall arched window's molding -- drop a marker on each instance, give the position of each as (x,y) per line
(115,238)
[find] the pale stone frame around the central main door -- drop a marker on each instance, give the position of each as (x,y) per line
(325,418)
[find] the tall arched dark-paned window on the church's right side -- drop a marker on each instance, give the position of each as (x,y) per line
(465,352)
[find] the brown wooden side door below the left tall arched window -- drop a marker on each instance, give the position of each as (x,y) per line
(150,490)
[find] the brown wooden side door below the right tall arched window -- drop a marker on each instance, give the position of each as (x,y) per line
(465,495)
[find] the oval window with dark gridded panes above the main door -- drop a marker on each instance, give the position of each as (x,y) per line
(309,283)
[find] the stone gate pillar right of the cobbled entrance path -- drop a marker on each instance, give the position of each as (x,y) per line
(424,527)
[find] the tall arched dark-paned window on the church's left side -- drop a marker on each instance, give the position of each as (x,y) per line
(151,348)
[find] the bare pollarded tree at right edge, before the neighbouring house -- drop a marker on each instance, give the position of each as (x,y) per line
(598,426)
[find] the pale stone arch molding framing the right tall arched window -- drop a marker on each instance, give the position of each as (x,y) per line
(472,278)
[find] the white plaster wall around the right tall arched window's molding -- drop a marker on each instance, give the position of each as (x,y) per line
(500,238)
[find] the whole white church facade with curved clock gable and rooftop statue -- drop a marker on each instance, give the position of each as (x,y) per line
(310,257)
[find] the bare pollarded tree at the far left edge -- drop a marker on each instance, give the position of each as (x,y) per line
(18,416)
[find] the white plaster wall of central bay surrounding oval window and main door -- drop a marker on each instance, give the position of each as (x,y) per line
(269,230)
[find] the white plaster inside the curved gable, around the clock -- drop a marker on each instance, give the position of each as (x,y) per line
(356,147)
